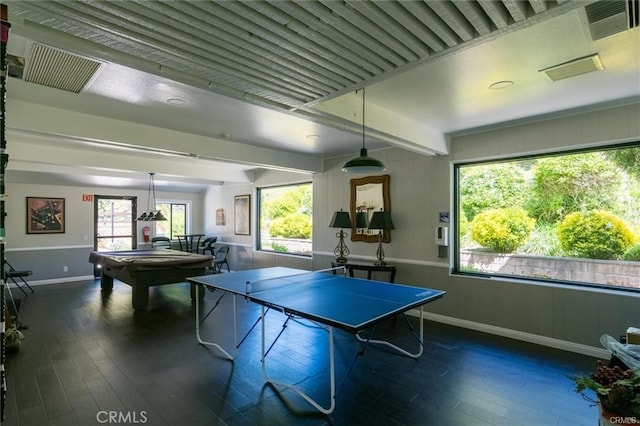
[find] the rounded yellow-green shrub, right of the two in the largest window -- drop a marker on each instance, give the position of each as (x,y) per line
(594,235)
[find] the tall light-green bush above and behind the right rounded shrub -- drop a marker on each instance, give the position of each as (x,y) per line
(566,184)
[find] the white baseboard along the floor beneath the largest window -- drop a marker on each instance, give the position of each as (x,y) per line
(518,335)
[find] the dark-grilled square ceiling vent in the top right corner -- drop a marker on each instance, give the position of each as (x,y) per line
(610,17)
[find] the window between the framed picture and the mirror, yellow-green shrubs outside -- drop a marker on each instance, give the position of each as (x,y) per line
(285,219)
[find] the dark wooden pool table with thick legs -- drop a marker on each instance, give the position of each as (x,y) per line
(142,269)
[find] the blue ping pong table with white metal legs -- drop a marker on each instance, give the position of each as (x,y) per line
(333,300)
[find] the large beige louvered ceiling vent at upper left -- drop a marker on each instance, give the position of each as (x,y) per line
(59,69)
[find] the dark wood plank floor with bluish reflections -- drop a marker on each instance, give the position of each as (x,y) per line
(87,356)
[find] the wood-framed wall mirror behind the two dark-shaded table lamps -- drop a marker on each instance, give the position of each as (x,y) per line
(369,194)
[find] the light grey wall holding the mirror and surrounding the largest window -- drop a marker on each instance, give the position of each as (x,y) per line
(563,316)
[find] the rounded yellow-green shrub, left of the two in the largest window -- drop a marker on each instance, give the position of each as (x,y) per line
(502,230)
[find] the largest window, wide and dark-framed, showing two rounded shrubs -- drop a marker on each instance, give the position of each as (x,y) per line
(571,218)
